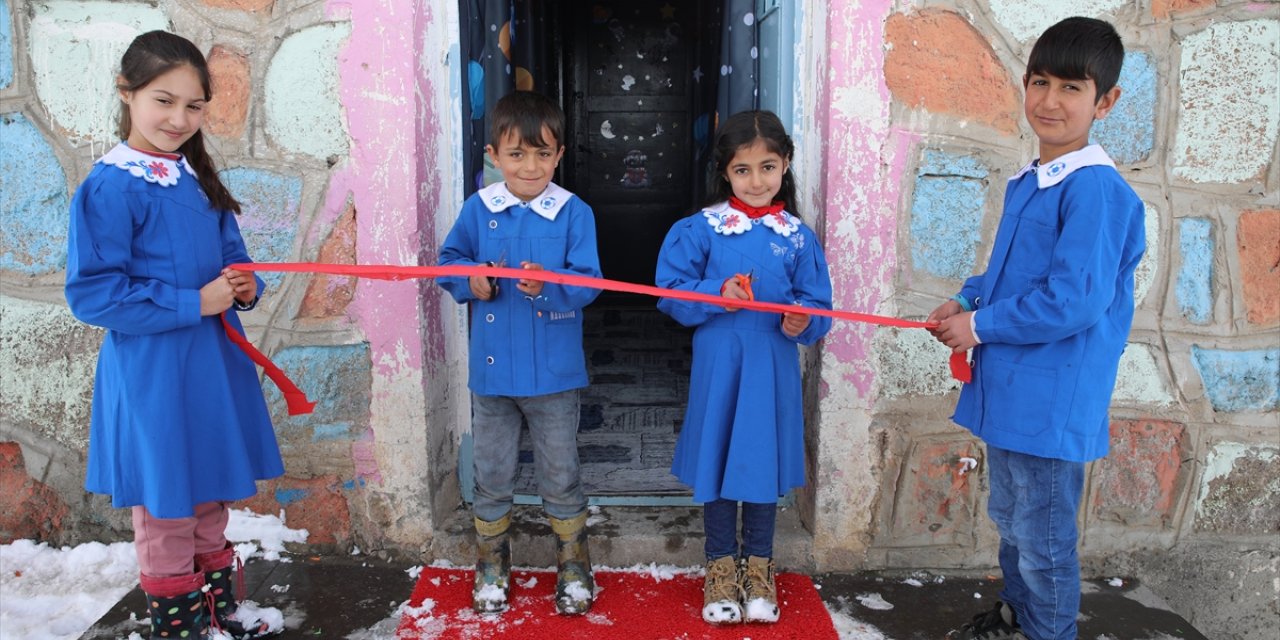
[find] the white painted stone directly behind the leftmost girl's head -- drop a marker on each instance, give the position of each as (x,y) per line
(76,54)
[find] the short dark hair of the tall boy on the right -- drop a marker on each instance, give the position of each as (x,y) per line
(1080,49)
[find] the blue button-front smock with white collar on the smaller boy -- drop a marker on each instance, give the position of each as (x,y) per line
(525,346)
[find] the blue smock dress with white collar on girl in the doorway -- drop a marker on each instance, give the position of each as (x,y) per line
(743,438)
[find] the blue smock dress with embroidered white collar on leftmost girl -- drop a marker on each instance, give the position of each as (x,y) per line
(179,417)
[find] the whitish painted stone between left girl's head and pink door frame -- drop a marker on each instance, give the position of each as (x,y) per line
(304,113)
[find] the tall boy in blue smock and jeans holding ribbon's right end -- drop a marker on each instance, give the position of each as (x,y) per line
(1048,323)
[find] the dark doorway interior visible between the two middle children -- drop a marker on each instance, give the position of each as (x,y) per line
(638,83)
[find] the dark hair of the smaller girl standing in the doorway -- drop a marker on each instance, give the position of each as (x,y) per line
(742,131)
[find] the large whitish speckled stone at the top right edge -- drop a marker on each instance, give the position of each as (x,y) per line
(1231,103)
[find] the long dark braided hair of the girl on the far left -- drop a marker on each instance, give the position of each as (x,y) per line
(152,56)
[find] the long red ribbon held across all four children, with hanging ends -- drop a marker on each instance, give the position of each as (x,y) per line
(961,369)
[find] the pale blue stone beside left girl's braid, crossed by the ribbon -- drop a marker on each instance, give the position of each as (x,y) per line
(269,203)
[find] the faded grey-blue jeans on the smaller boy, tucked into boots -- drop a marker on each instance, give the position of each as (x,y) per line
(554,429)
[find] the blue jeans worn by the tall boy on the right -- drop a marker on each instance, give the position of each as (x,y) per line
(1035,502)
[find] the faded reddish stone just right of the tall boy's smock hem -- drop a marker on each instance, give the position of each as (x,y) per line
(1140,481)
